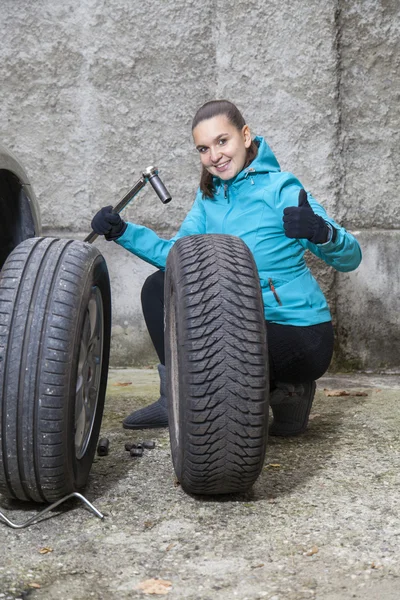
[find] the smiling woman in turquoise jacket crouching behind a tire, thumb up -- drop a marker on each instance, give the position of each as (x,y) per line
(243,192)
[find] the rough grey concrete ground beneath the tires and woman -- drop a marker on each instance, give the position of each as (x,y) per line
(322,521)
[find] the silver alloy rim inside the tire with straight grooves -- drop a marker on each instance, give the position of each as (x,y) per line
(89,372)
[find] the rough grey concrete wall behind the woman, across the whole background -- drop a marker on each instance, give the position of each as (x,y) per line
(93,92)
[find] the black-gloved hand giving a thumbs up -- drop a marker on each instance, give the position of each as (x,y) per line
(301,222)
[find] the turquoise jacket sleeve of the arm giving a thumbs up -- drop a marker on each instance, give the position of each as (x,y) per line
(343,254)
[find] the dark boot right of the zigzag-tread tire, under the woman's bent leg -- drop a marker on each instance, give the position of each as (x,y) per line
(291,408)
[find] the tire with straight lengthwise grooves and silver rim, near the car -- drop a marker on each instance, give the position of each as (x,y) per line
(55,319)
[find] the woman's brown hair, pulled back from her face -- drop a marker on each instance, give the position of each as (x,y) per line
(232,113)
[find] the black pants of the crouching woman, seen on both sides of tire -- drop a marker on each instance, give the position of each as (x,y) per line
(296,354)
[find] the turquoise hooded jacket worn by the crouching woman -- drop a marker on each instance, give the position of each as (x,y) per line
(251,206)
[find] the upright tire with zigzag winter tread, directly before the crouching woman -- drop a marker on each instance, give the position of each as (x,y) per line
(217,368)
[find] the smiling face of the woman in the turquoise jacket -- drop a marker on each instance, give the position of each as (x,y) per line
(221,146)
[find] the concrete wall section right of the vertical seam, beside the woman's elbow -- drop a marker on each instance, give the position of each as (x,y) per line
(368,305)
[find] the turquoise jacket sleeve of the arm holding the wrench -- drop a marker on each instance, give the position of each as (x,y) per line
(146,244)
